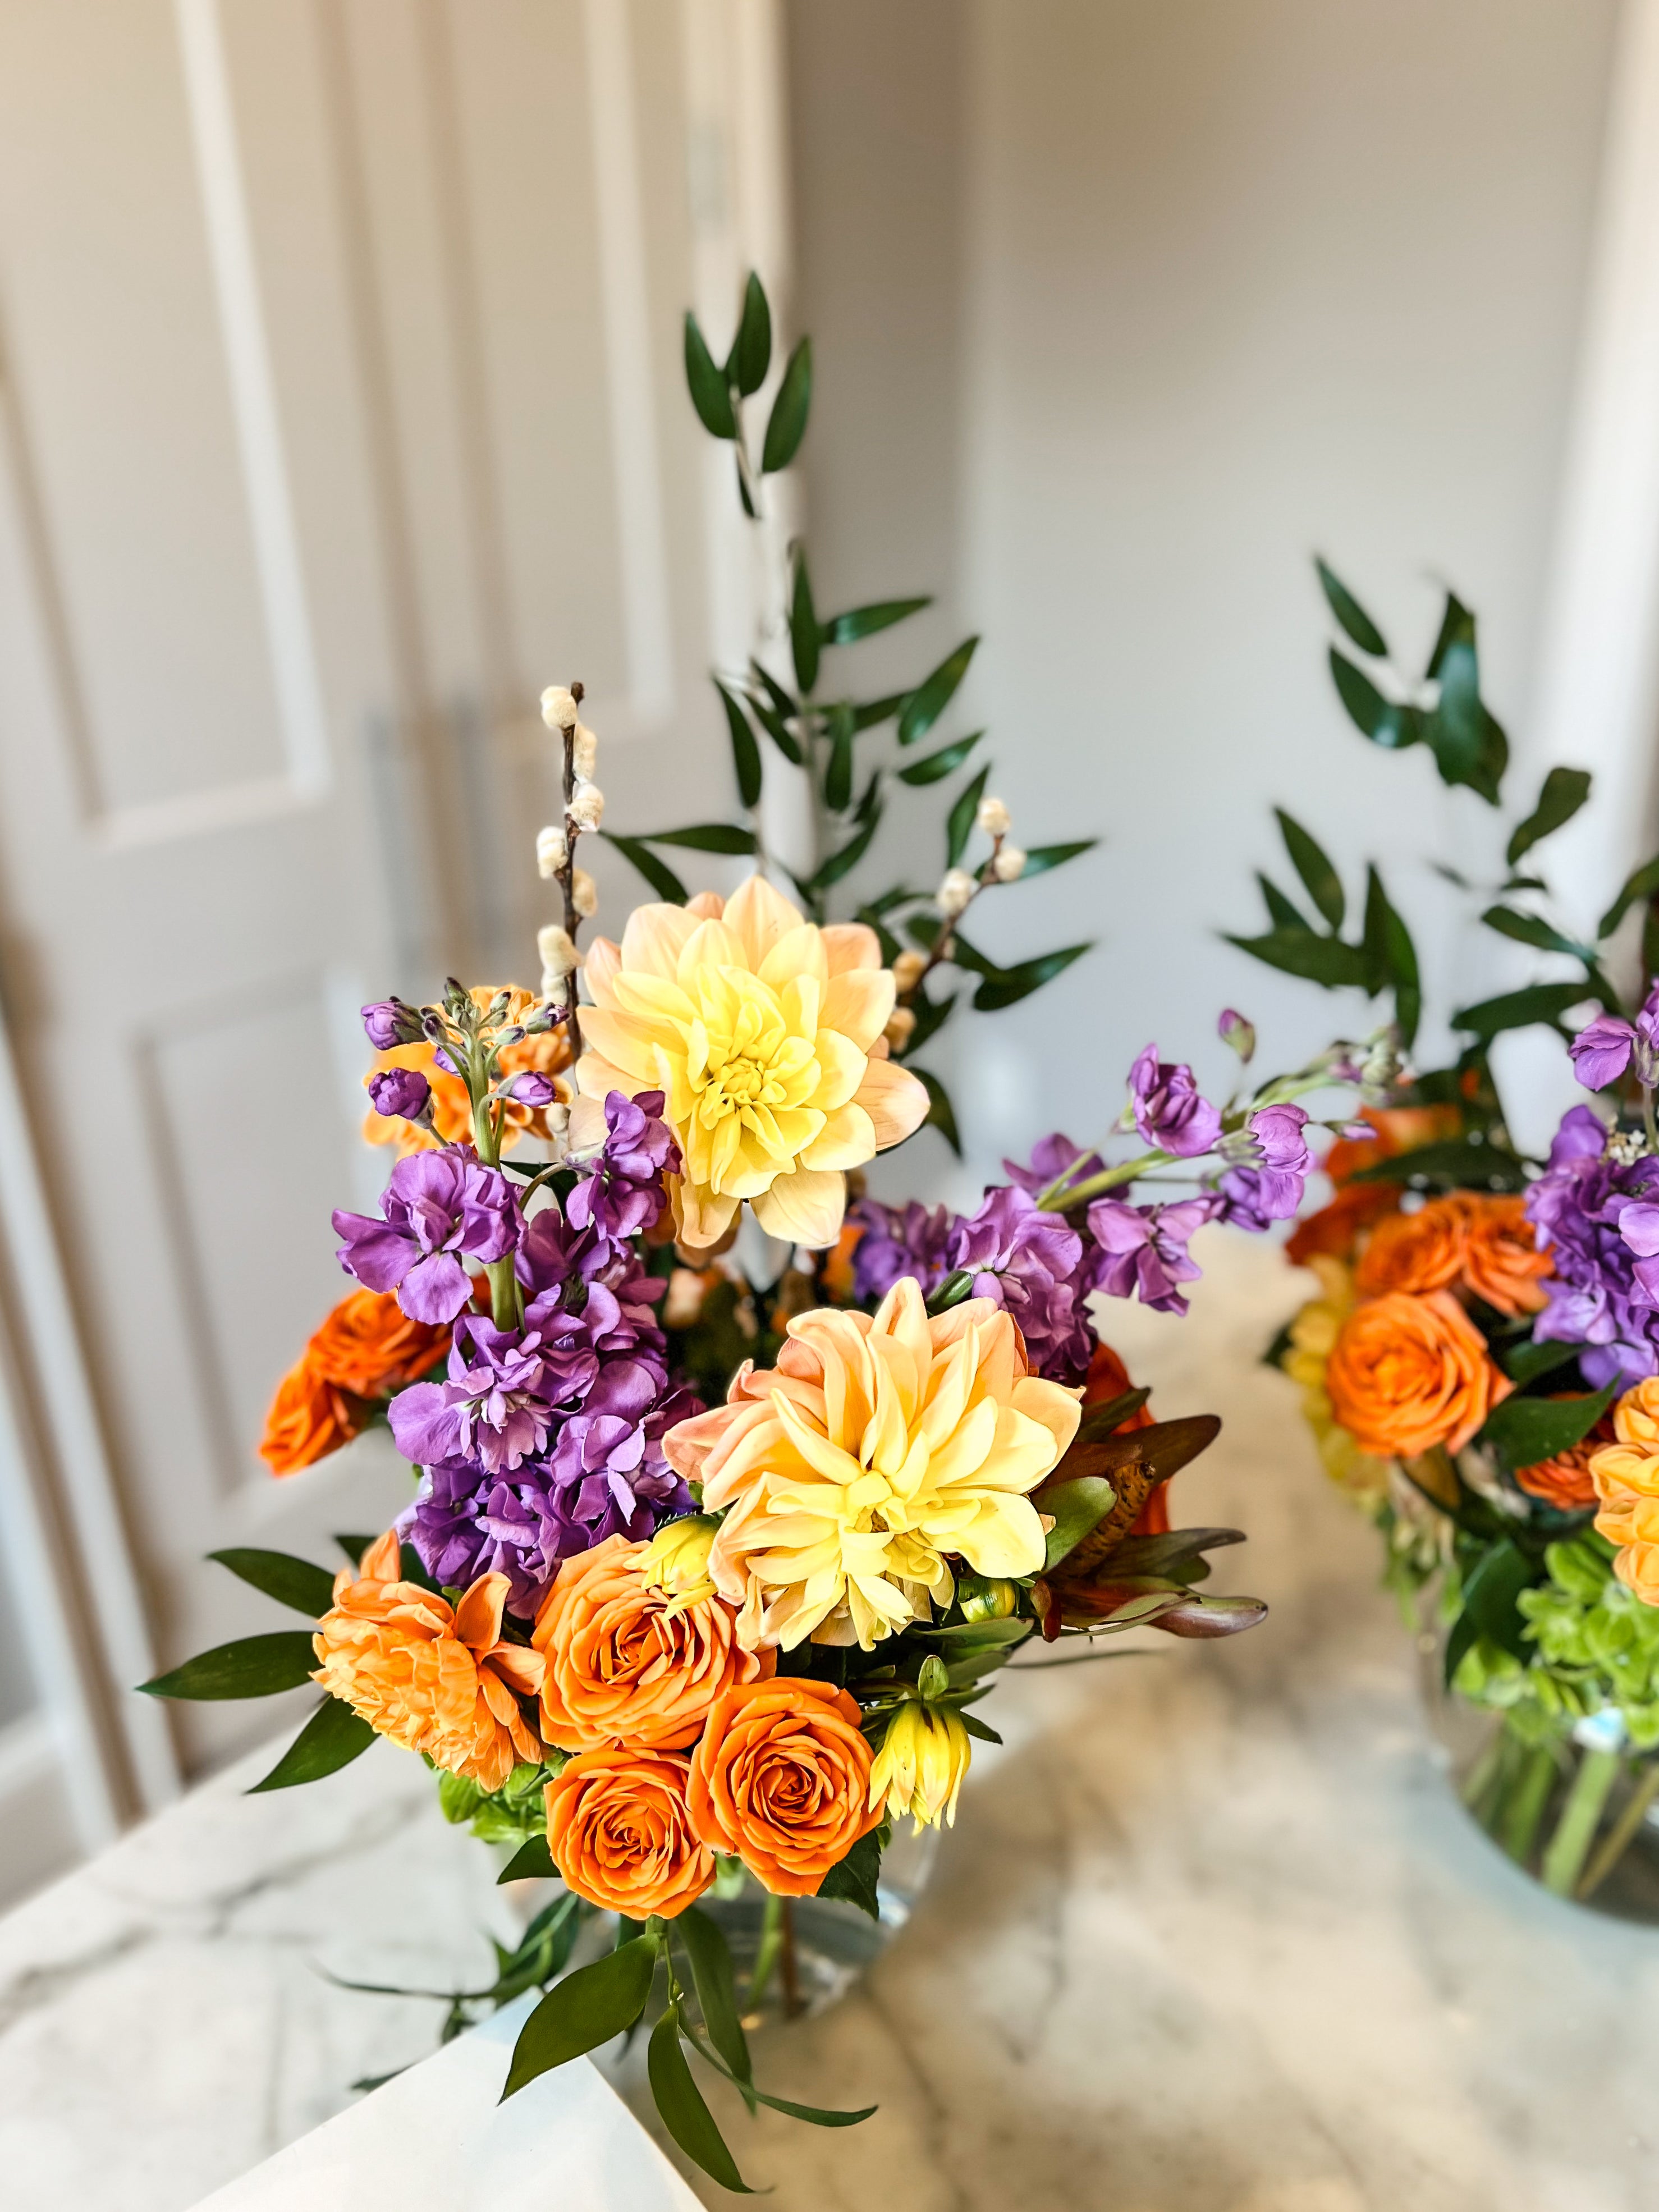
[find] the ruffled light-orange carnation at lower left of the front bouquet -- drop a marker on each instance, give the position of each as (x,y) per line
(430,1676)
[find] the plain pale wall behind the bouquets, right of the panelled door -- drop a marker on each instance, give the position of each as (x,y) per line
(1123,311)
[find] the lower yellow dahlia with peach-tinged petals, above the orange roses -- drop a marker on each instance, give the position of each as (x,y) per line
(866,1459)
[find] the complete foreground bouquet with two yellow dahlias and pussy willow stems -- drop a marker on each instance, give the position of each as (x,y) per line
(713,1554)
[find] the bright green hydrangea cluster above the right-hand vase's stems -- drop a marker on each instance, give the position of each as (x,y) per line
(1598,1647)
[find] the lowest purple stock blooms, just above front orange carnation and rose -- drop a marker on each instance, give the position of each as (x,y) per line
(605,1477)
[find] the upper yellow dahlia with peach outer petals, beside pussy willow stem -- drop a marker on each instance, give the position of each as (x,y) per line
(766,1039)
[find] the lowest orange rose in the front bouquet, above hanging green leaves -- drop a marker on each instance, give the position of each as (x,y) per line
(620,1833)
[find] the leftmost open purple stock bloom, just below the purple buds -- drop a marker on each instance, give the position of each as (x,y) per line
(437,1207)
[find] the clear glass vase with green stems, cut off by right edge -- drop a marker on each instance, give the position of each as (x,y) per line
(1569,1802)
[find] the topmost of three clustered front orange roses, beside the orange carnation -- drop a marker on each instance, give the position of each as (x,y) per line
(627,1662)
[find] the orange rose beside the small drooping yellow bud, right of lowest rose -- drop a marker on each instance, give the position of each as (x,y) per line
(782,1780)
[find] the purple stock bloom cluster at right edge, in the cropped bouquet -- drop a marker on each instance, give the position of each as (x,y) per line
(1598,1220)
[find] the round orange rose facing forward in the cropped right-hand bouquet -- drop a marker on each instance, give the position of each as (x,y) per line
(1408,1375)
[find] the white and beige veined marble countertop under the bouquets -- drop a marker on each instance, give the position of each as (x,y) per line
(1209,1932)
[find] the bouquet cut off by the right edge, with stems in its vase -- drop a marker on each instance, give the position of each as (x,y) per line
(1481,1366)
